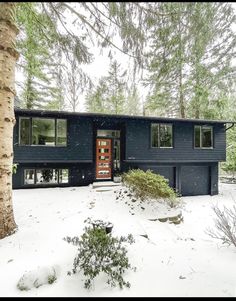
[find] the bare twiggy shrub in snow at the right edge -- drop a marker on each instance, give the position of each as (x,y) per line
(225,224)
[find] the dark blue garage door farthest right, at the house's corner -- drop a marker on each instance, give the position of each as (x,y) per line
(195,180)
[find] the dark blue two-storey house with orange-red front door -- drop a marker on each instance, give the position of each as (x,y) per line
(71,149)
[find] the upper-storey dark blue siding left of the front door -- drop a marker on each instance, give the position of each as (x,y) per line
(79,144)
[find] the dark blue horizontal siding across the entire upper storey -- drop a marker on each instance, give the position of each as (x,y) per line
(135,142)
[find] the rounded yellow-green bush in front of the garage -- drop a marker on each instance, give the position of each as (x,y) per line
(148,185)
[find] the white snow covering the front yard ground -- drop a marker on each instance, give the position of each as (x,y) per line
(175,260)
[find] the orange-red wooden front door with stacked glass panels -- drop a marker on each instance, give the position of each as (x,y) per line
(103,158)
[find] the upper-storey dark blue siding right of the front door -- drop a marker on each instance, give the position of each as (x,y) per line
(138,144)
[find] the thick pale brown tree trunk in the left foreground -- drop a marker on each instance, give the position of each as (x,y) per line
(8,57)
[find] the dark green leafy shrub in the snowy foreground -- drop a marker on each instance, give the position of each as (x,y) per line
(101,252)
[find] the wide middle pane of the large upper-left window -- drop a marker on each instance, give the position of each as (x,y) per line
(43,131)
